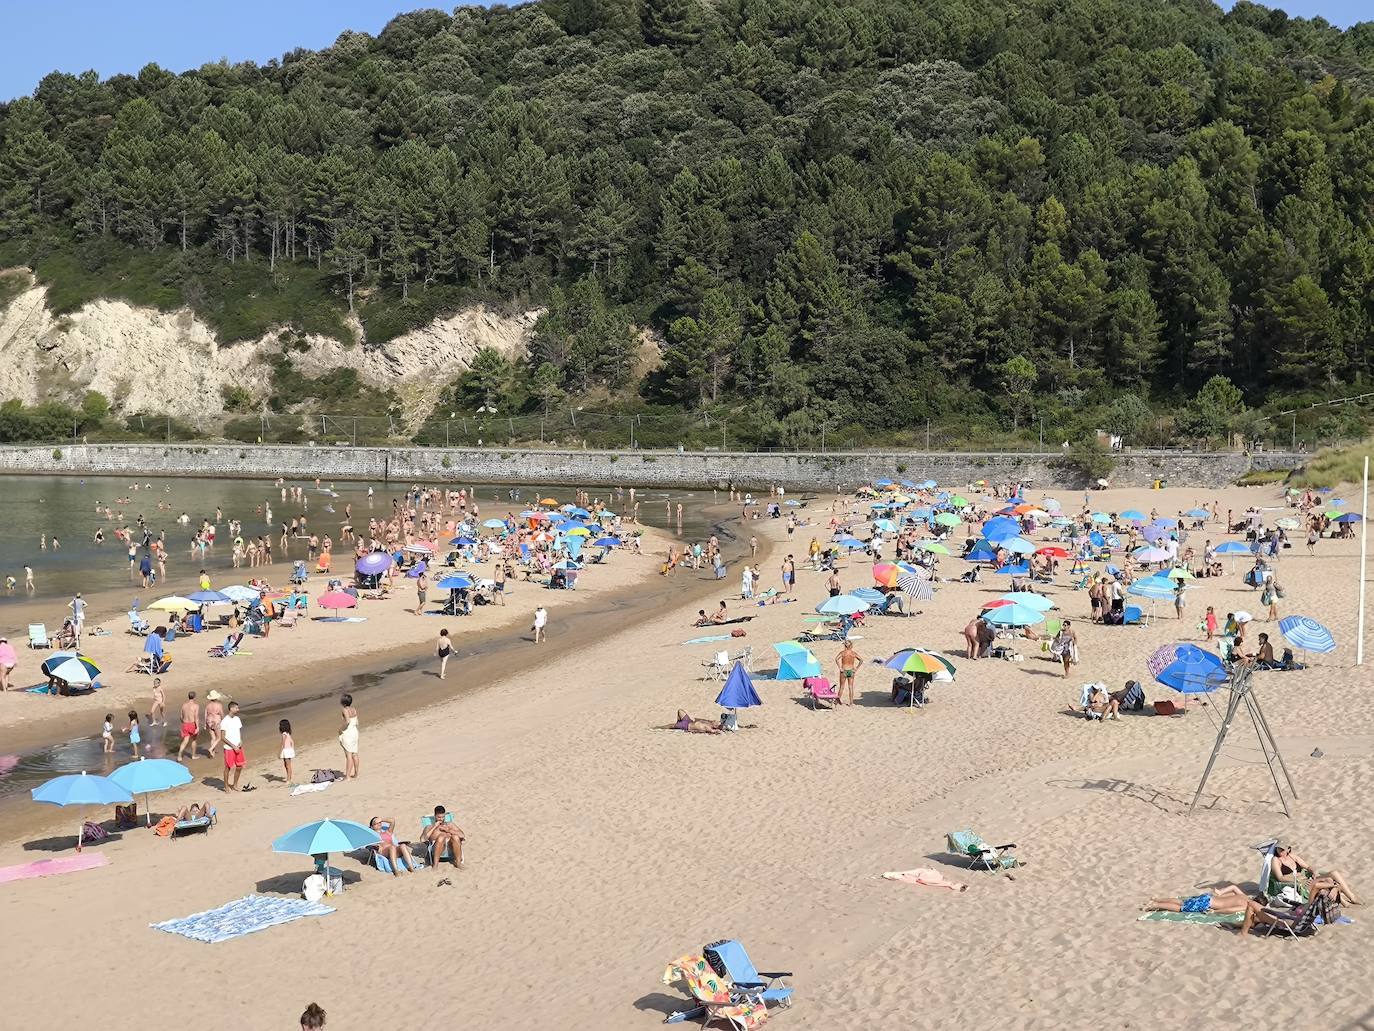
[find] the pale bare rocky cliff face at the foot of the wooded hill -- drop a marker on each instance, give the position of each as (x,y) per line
(155,362)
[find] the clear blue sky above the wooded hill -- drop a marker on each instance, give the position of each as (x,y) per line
(115,36)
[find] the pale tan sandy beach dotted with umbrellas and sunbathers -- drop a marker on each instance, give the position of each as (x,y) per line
(601,847)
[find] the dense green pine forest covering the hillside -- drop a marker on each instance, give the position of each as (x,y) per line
(1145,217)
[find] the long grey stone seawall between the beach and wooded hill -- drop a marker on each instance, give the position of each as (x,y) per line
(700,469)
